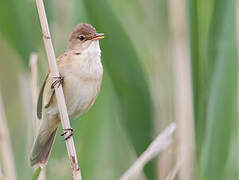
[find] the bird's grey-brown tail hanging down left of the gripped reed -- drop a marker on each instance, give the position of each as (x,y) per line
(43,143)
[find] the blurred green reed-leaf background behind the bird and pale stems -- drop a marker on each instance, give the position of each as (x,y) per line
(136,100)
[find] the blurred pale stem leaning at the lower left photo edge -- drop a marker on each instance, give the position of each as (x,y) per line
(5,146)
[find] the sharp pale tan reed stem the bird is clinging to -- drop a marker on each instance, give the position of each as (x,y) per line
(59,92)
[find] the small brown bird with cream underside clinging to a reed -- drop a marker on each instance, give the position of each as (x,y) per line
(81,73)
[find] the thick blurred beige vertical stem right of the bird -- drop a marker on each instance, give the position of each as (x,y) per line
(183,89)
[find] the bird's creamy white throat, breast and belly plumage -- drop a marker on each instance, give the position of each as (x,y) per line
(82,73)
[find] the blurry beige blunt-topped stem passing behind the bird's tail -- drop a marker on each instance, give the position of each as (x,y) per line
(34,93)
